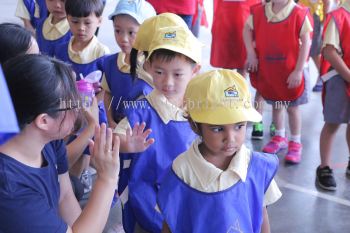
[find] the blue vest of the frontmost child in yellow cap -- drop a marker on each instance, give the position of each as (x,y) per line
(236,209)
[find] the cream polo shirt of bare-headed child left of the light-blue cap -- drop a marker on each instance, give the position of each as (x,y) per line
(91,52)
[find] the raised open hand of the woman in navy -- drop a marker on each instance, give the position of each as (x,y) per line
(105,153)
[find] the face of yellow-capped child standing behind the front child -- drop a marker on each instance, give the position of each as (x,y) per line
(171,78)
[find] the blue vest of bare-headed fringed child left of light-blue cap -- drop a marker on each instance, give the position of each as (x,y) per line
(61,52)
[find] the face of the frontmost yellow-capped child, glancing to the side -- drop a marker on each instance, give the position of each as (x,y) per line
(222,140)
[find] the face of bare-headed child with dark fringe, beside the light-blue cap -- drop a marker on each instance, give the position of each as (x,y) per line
(84,28)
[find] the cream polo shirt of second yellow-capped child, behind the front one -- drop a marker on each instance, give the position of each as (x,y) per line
(166,111)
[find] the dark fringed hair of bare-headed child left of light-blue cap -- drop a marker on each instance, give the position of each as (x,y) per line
(83,8)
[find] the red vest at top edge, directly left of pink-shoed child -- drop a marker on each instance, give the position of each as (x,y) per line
(227,47)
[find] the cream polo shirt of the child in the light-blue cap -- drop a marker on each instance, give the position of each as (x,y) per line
(125,68)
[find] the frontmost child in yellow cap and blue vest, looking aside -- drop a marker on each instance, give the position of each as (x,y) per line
(218,184)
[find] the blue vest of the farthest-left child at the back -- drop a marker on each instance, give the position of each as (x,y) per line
(47,47)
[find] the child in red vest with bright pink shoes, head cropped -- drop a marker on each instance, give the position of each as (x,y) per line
(277,63)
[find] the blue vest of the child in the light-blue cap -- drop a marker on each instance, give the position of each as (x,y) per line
(122,86)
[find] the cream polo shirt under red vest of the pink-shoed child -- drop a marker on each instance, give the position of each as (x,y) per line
(280,16)
